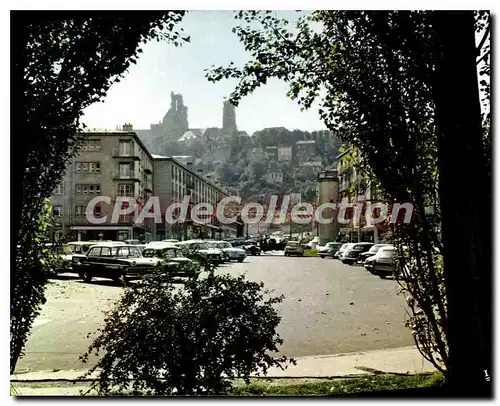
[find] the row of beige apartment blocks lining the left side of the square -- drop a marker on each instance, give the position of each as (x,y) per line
(117,164)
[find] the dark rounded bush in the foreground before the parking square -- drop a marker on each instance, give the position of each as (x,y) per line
(160,340)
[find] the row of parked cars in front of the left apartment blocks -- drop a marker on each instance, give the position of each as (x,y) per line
(119,260)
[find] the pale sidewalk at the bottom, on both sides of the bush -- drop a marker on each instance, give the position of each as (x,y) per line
(405,360)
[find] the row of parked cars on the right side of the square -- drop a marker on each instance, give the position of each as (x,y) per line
(376,258)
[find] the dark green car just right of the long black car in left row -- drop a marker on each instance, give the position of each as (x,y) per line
(169,253)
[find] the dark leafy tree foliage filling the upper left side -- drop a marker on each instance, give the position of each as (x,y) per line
(62,67)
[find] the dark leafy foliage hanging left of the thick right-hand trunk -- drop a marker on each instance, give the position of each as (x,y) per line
(371,73)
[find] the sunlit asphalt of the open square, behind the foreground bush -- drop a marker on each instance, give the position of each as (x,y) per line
(329,308)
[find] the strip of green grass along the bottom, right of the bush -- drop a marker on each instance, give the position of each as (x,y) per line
(321,387)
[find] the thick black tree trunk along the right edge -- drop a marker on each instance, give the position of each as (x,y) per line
(465,194)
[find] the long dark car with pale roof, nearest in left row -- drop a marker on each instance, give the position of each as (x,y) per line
(113,261)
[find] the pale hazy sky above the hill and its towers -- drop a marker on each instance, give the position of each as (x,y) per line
(142,97)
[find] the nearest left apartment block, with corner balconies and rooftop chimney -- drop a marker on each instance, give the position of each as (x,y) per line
(110,163)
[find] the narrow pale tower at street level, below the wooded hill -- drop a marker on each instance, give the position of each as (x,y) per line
(328,192)
